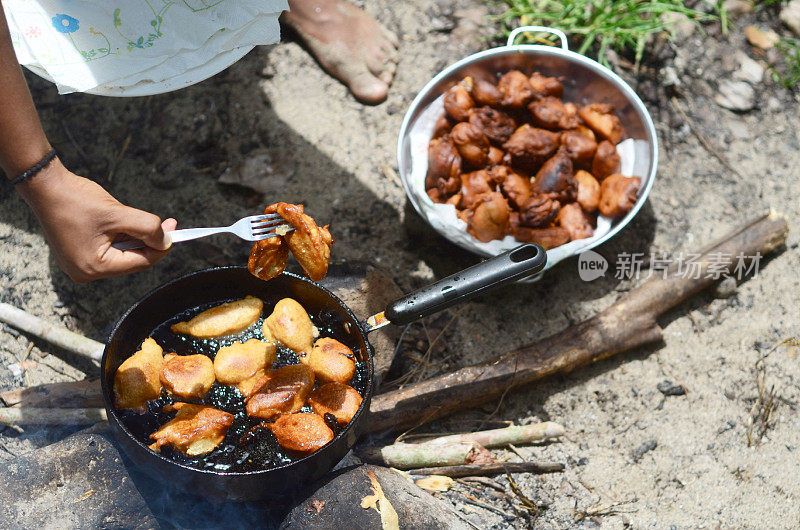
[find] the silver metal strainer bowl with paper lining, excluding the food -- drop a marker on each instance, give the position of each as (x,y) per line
(585,81)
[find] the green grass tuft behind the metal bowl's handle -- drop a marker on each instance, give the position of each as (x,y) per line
(599,25)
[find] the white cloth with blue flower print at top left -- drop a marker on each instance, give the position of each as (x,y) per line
(135,47)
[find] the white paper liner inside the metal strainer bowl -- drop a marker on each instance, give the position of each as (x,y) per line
(443,216)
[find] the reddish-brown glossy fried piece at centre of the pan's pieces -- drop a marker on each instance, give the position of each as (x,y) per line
(281,391)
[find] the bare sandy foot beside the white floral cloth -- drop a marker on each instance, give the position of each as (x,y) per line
(349,44)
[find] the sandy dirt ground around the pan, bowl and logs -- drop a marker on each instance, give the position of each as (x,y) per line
(633,456)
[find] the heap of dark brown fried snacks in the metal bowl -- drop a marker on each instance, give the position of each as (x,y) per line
(514,159)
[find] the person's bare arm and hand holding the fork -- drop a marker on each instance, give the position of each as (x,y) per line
(79,218)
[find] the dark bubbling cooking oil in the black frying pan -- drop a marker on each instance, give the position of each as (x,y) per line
(245,447)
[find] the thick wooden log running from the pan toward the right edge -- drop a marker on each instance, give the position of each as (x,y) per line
(629,323)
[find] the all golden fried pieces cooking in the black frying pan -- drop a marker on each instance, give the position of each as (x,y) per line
(269,394)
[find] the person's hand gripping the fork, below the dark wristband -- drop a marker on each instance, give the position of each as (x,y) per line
(81,220)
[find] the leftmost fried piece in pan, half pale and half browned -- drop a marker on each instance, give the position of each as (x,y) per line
(137,380)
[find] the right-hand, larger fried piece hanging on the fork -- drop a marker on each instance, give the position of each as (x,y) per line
(310,244)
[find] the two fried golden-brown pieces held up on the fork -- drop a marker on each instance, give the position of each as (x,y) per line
(310,244)
